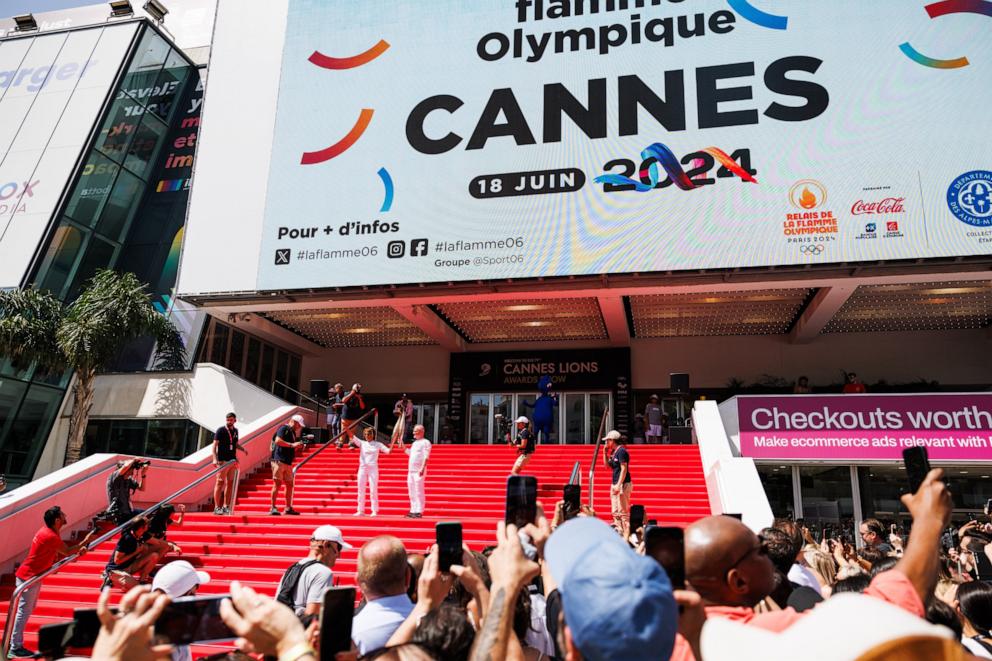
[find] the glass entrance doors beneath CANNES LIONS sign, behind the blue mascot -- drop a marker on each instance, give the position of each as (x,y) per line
(576,419)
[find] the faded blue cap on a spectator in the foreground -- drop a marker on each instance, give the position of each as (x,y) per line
(618,605)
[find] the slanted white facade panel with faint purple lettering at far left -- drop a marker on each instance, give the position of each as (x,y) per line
(52,88)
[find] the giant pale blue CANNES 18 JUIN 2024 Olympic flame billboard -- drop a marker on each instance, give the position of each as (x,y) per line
(453,140)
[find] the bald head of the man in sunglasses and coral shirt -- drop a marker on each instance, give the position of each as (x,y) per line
(727,563)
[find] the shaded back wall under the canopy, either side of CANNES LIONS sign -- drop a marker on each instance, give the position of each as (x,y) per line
(950,357)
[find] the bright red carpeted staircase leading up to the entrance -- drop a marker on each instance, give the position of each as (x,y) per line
(464,483)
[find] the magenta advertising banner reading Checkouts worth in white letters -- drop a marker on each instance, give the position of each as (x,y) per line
(852,428)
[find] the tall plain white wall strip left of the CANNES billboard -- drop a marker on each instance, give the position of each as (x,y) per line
(230,176)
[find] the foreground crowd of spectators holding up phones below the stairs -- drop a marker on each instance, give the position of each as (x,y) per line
(581,591)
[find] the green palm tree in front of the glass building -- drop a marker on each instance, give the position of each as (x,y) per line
(85,336)
